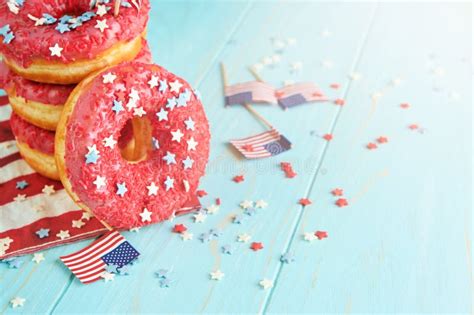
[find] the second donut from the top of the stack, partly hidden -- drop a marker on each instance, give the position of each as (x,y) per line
(41,104)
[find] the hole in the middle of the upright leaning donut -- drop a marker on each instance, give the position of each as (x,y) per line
(135,141)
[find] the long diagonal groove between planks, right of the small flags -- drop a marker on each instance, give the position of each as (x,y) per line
(312,183)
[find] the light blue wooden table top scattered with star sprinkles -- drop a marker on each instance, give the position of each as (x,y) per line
(403,244)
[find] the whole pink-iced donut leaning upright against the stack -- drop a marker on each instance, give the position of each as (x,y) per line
(174,141)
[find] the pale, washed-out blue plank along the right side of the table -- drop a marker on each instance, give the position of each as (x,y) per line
(404,242)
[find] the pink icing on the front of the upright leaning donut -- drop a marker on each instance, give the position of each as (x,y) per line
(87,128)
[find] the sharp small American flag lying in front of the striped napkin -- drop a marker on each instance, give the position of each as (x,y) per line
(90,263)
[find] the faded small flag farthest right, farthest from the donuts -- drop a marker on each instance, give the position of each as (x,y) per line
(299,93)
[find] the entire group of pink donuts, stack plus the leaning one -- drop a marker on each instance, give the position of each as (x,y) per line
(128,140)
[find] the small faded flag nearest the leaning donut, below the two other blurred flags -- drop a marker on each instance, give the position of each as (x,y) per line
(262,145)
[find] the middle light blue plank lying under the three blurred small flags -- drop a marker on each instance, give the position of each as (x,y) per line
(192,291)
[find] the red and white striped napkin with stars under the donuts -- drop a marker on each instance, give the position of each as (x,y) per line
(32,220)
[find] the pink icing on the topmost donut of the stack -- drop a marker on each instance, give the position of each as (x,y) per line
(85,42)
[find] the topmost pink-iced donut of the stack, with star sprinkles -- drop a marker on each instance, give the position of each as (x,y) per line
(63,41)
